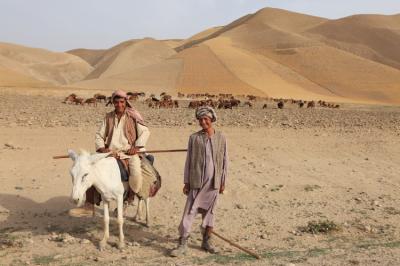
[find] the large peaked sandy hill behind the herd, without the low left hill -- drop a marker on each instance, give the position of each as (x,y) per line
(276,53)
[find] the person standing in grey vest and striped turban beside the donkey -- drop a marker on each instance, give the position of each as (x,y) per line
(204,178)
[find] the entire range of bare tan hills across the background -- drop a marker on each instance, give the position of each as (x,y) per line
(273,52)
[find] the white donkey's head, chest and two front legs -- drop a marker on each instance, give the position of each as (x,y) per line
(102,173)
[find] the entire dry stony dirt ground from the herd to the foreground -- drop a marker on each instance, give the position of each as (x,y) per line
(287,168)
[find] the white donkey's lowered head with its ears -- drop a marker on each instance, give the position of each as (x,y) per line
(82,174)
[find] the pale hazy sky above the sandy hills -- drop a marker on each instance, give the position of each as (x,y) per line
(66,24)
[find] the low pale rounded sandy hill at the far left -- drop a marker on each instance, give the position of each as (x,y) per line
(56,68)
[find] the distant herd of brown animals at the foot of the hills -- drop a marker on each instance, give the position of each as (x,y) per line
(220,101)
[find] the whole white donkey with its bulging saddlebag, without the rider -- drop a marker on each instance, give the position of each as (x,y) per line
(102,172)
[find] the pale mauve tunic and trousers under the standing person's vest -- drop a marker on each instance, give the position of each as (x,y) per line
(202,200)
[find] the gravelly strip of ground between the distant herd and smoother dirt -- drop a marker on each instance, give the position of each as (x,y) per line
(34,110)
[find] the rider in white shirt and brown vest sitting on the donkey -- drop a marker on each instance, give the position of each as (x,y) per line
(123,133)
